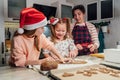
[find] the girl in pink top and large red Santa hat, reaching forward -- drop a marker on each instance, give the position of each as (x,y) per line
(28,40)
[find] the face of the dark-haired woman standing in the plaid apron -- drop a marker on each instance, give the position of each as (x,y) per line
(78,16)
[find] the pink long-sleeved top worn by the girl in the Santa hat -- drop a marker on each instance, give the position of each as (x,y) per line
(24,49)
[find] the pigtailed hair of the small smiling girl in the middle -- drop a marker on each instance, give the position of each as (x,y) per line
(61,21)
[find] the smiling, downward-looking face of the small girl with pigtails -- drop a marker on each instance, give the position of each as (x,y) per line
(60,31)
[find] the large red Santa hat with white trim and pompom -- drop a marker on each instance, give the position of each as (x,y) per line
(31,19)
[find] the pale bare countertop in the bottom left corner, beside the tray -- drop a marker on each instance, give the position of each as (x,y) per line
(9,73)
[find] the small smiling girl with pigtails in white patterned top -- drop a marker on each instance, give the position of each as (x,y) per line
(61,38)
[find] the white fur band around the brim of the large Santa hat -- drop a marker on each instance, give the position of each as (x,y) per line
(36,25)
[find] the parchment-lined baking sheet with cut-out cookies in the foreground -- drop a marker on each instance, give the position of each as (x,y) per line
(93,72)
